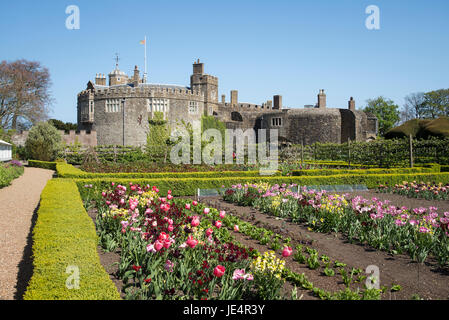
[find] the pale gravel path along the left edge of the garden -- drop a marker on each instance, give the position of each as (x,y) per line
(18,210)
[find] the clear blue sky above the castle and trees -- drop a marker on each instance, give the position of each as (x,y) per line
(261,48)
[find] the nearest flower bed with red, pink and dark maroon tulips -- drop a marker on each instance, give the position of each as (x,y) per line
(175,249)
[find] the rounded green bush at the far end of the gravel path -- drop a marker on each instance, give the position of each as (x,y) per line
(43,142)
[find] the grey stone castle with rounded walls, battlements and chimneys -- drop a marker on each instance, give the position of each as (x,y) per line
(118,112)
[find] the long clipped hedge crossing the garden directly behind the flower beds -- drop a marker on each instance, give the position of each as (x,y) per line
(189,186)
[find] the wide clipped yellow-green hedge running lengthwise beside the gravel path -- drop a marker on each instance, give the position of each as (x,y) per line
(65,236)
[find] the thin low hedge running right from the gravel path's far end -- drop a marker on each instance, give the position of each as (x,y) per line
(68,171)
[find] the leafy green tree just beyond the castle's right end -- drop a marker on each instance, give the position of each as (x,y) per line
(385,110)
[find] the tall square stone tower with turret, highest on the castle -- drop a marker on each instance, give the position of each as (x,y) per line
(207,85)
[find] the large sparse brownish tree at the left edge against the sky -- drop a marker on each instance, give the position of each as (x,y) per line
(24,93)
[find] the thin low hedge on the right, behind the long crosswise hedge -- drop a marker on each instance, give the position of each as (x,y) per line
(330,172)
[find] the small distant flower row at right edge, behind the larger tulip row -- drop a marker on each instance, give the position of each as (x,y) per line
(429,191)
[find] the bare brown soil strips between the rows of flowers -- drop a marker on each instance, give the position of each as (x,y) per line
(426,280)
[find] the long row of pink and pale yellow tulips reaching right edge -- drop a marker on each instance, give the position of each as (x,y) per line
(418,232)
